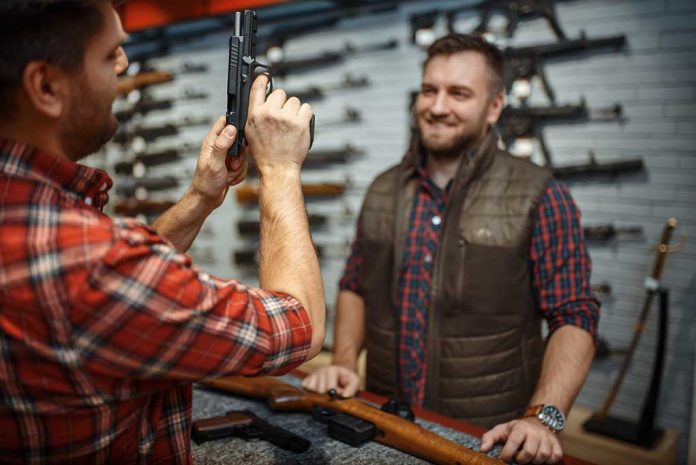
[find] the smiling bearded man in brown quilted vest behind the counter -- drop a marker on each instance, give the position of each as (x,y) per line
(460,251)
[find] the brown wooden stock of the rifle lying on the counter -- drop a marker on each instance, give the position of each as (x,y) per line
(393,431)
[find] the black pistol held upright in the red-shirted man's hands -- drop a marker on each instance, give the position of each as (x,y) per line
(241,73)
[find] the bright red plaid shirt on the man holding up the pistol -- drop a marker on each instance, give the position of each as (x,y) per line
(103,324)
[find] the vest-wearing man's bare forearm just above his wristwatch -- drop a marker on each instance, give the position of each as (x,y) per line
(567,361)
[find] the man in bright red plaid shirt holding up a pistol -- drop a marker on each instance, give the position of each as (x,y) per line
(105,323)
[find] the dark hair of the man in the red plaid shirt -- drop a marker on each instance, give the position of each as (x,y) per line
(54,31)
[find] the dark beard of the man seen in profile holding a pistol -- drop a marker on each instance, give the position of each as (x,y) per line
(89,124)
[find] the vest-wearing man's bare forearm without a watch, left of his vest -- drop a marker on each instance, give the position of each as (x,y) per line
(349,329)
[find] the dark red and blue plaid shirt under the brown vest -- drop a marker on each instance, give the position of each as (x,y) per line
(559,263)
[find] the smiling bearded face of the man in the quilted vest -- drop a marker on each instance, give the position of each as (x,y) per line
(455,108)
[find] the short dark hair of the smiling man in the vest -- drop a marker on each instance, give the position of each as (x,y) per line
(455,43)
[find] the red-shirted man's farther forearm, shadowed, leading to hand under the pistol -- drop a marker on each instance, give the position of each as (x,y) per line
(182,222)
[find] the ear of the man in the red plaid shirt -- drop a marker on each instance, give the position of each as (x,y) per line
(46,87)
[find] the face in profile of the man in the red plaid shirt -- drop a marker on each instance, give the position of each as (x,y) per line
(89,122)
